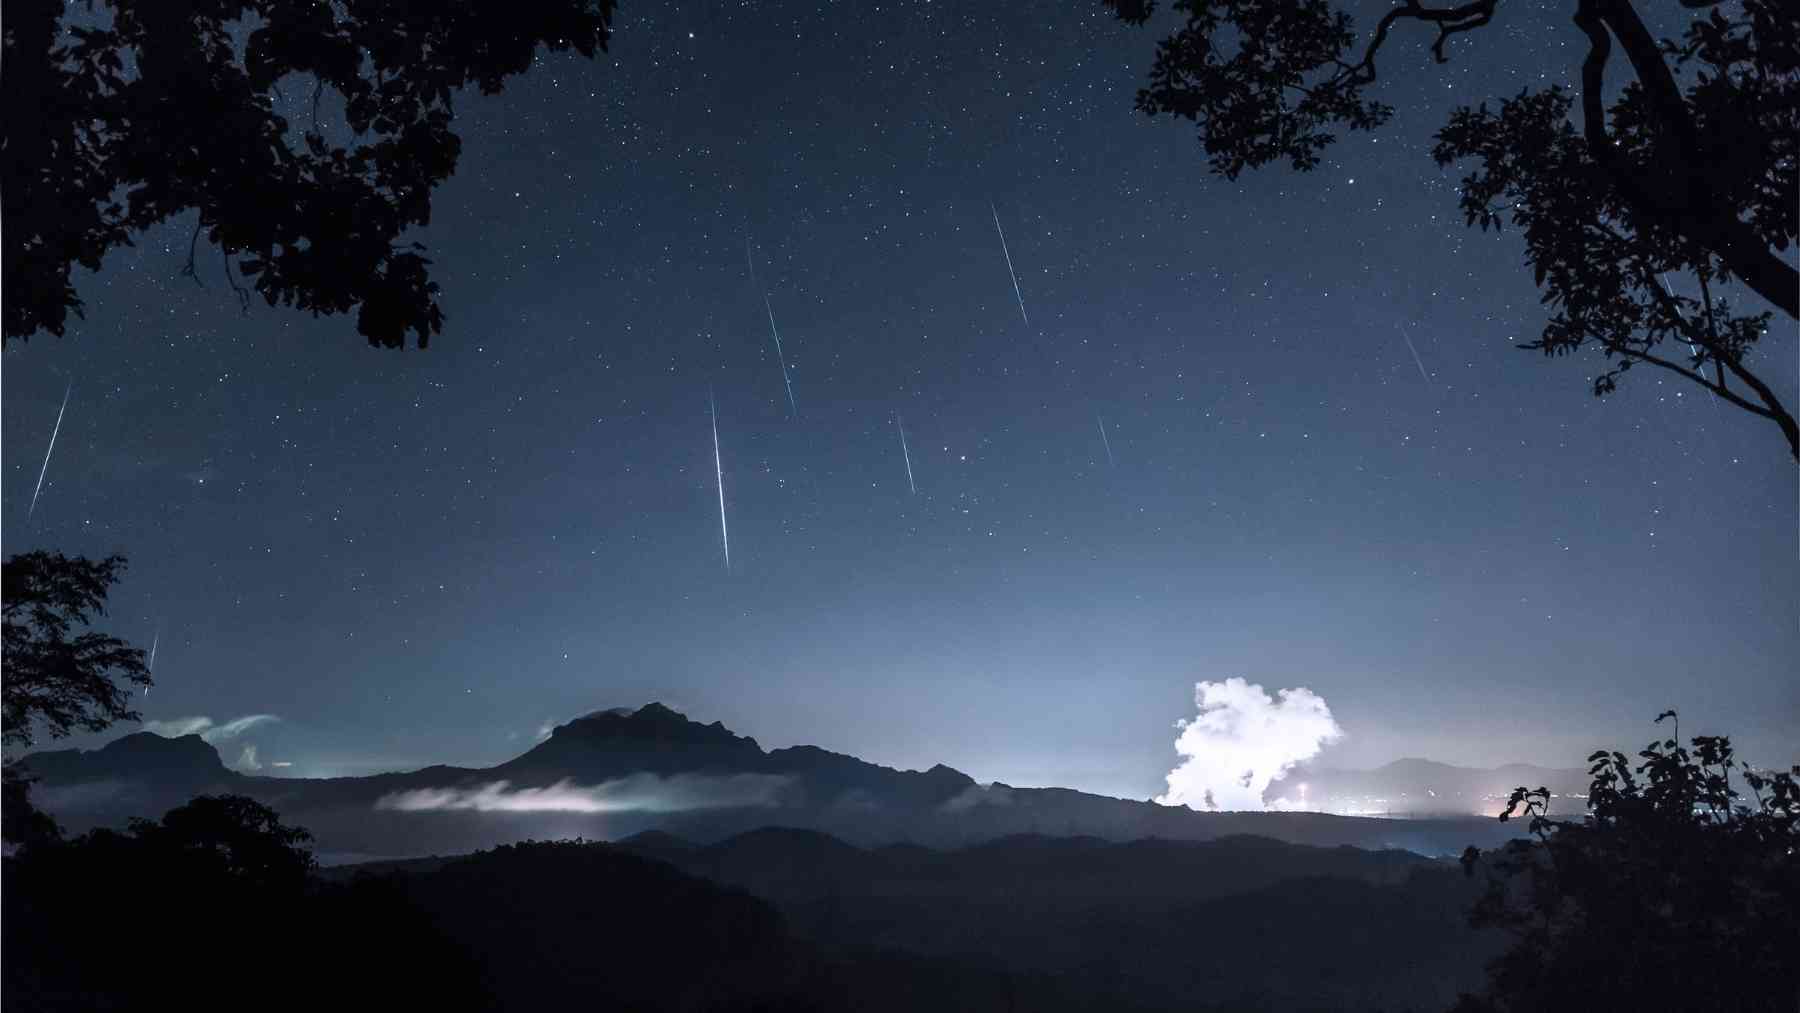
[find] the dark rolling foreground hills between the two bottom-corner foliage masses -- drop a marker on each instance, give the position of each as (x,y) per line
(1012,924)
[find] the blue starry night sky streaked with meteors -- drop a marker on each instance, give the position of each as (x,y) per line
(424,557)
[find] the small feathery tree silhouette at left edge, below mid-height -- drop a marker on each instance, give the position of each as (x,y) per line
(60,676)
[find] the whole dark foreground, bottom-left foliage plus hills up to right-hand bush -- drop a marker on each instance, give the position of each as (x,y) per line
(771,920)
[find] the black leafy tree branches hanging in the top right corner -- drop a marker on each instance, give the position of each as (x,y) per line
(1693,170)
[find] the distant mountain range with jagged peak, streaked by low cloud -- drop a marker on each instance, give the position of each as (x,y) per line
(620,773)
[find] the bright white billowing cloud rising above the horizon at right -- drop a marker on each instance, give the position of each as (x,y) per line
(1243,740)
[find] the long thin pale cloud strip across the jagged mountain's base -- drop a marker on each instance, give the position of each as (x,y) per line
(638,793)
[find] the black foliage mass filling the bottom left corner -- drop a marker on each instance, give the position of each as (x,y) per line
(215,908)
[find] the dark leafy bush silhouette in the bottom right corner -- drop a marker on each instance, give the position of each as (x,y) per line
(1673,893)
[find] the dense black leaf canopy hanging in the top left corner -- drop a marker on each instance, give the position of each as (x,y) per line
(125,114)
